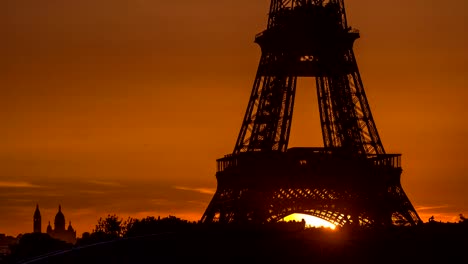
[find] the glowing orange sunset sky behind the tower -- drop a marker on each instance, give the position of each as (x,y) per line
(113,106)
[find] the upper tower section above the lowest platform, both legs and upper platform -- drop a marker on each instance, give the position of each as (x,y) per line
(346,118)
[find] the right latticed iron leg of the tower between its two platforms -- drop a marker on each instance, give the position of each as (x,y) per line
(345,113)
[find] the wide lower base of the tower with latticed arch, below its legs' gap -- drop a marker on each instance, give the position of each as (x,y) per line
(265,187)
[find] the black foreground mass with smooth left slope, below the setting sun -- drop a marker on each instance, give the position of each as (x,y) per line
(429,243)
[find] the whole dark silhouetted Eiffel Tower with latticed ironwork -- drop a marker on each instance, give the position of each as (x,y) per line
(351,180)
